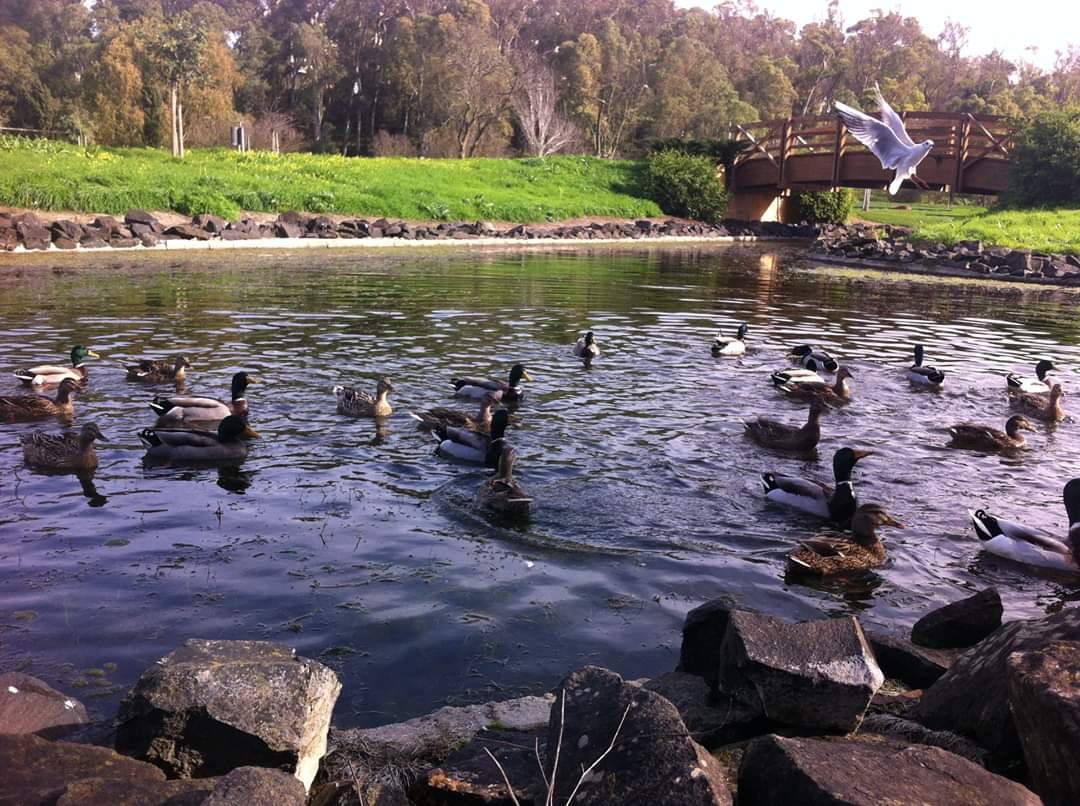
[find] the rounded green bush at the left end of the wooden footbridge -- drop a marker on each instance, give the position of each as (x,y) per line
(686,185)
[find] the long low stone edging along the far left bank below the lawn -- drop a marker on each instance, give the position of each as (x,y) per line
(142,230)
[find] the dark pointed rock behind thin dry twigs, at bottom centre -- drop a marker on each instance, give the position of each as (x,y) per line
(654,760)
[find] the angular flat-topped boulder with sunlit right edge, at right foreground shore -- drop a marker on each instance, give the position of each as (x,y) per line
(813,675)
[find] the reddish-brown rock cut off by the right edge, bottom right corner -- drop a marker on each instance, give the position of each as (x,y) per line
(1045,700)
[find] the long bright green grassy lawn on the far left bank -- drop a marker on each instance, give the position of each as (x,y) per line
(51,176)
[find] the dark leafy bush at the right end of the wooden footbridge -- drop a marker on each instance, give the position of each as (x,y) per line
(1046,168)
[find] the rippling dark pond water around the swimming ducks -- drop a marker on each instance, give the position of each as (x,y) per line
(356,545)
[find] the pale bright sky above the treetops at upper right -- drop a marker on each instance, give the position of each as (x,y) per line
(1012,28)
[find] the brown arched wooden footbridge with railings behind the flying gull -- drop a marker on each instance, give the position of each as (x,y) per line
(971,155)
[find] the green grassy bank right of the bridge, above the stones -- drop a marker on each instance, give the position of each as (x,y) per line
(1044,231)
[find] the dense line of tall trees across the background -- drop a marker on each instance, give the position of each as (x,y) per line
(467,77)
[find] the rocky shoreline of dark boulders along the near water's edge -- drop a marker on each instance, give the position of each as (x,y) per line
(759,711)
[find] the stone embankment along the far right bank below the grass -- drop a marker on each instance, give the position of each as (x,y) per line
(887,247)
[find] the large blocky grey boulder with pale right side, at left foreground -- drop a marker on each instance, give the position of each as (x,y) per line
(213,706)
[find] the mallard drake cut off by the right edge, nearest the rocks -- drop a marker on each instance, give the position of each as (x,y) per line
(1030,546)
